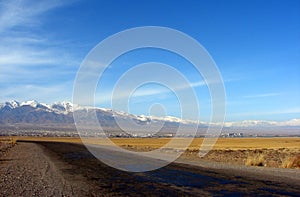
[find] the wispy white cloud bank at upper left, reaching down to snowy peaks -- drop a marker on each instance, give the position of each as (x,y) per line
(29,57)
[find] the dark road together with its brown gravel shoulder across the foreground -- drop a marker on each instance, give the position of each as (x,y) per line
(65,169)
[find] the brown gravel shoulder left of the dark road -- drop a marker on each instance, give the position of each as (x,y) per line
(27,171)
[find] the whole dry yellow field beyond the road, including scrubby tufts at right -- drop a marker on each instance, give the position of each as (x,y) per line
(269,152)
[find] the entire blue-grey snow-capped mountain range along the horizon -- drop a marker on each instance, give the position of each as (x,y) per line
(61,113)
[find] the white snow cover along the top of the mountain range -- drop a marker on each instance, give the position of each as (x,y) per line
(66,108)
